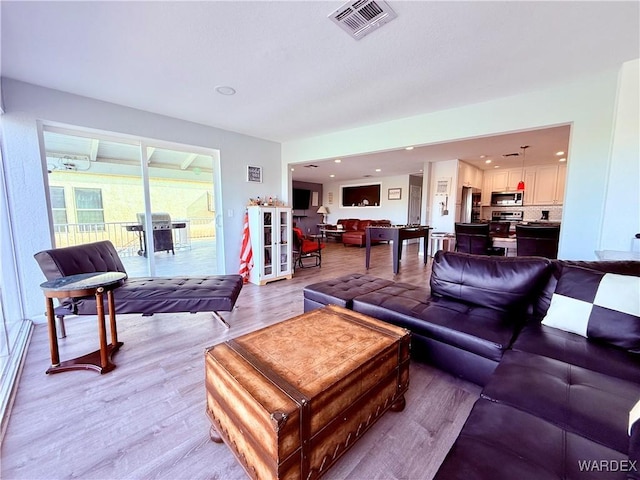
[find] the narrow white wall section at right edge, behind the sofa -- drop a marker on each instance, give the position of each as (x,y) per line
(621,220)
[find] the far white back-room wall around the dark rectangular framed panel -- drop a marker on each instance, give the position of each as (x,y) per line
(394,210)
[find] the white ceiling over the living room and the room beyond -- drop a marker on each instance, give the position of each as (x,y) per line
(298,75)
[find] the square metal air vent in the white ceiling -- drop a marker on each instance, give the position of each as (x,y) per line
(361,17)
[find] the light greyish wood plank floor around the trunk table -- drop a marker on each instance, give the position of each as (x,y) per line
(146,419)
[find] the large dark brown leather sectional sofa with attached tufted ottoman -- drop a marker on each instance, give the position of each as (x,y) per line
(554,404)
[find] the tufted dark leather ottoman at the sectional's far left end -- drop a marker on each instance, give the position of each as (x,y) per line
(341,291)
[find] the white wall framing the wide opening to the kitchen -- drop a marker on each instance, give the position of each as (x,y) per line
(587,104)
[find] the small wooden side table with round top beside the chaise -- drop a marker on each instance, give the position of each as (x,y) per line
(82,285)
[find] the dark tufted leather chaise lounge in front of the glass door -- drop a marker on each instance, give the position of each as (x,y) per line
(145,295)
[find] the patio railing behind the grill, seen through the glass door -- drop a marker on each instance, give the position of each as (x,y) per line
(128,242)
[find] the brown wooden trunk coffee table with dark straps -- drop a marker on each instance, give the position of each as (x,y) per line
(291,398)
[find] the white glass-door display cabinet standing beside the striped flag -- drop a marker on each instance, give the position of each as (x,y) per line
(270,231)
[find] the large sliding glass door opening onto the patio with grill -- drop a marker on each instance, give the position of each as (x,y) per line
(103,188)
